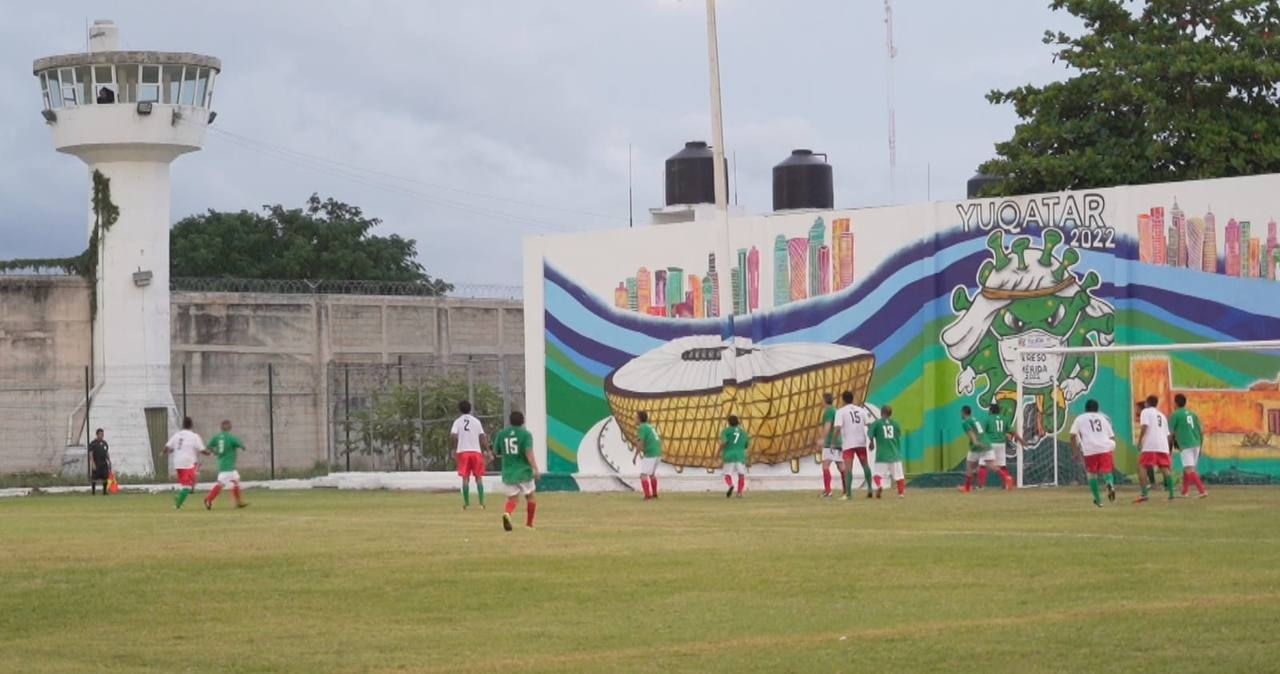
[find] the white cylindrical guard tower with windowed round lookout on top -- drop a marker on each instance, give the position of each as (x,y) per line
(130,114)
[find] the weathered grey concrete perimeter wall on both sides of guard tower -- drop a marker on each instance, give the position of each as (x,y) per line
(225,343)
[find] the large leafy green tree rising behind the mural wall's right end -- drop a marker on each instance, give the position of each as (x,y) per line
(1182,90)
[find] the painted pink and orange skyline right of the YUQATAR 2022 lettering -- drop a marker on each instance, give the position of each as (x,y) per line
(1245,251)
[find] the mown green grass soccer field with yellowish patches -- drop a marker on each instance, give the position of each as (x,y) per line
(326,581)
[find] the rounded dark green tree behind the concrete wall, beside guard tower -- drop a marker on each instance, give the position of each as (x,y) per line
(324,241)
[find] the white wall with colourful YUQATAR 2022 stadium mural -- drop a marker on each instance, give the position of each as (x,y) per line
(920,308)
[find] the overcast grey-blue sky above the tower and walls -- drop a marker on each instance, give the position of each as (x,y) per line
(490,121)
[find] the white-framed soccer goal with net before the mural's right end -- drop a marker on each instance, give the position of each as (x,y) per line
(1233,388)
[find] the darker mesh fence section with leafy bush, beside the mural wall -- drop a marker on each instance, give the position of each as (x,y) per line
(397,418)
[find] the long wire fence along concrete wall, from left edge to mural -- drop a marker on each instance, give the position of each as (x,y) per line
(296,420)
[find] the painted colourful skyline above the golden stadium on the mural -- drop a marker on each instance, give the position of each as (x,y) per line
(803,268)
